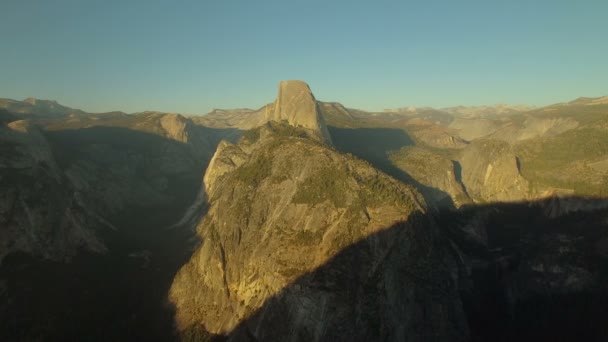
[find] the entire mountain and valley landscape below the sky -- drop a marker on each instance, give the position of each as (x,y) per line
(304,220)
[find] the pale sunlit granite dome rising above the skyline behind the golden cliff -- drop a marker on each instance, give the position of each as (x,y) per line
(297,105)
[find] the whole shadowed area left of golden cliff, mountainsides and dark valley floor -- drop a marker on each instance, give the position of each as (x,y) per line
(138,182)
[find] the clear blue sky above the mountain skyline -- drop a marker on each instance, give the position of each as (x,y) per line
(192,56)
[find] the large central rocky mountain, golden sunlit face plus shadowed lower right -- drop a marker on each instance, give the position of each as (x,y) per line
(282,205)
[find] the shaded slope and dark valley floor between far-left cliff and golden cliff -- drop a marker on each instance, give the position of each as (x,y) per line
(120,295)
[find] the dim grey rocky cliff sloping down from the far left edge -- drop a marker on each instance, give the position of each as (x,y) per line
(40,212)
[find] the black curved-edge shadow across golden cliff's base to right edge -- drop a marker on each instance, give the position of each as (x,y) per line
(525,271)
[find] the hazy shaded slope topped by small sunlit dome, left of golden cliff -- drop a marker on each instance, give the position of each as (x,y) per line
(142,161)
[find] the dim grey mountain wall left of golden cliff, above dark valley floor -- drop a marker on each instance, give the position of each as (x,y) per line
(66,180)
